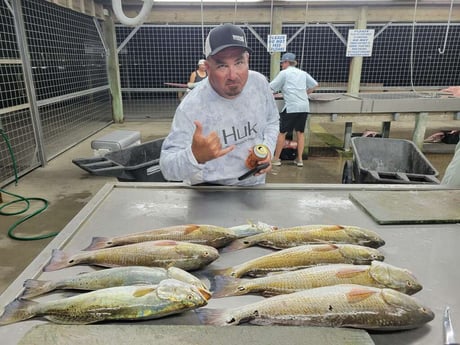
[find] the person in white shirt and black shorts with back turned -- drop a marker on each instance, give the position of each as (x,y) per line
(295,85)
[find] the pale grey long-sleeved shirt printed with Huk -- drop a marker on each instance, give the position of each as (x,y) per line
(249,119)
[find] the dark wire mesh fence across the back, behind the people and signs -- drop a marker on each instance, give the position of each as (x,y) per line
(405,57)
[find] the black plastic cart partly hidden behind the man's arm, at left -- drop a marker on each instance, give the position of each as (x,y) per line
(138,163)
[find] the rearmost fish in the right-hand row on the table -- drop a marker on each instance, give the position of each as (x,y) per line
(310,234)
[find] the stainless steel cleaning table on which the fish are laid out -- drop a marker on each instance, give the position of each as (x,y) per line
(430,251)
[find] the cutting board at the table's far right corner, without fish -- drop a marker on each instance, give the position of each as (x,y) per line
(410,207)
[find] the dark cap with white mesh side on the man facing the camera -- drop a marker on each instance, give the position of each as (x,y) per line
(225,36)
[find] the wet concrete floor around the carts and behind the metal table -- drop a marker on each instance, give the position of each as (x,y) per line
(68,188)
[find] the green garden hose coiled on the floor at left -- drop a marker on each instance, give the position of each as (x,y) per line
(19,198)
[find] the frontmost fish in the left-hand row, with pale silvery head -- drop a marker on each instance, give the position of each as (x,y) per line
(145,302)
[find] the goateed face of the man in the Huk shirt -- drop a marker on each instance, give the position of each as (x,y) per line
(228,71)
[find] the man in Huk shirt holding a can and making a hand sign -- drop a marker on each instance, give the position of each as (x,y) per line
(222,118)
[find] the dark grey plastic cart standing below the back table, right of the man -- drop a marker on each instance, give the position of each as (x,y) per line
(388,161)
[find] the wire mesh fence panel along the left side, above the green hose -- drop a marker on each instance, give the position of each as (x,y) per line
(68,98)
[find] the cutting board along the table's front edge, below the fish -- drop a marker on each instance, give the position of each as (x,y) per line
(192,335)
